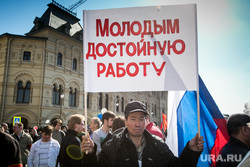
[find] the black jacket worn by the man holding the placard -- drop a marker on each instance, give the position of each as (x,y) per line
(121,152)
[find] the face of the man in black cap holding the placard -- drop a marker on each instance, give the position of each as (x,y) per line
(136,123)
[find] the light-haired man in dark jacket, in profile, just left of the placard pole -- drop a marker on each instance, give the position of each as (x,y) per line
(70,152)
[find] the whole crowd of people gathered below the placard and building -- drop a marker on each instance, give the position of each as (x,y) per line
(129,140)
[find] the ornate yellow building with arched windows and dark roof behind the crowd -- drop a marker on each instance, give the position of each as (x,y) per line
(41,75)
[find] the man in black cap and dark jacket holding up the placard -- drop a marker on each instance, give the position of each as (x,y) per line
(135,146)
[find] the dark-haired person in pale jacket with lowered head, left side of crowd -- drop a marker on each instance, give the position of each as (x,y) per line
(44,152)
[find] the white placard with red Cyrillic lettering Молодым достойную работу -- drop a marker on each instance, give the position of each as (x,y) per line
(140,49)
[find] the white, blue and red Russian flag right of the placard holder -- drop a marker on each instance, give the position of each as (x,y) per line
(183,126)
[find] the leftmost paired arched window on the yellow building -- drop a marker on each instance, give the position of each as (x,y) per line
(23,93)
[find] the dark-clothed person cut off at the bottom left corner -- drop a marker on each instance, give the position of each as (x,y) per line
(10,151)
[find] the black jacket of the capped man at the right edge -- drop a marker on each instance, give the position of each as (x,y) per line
(232,153)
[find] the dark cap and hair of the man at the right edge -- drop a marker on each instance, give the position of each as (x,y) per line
(235,122)
